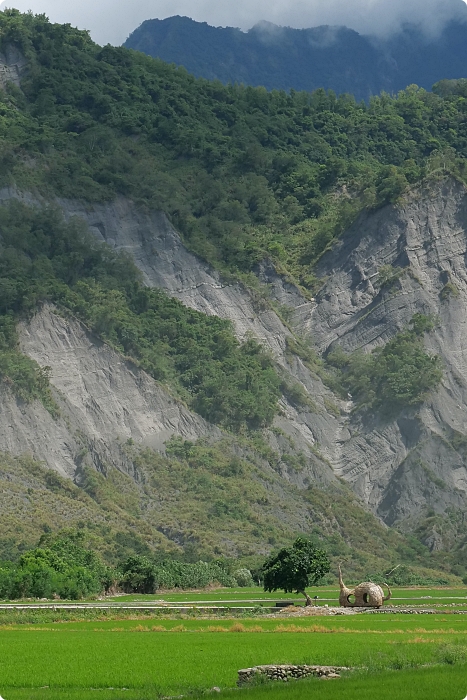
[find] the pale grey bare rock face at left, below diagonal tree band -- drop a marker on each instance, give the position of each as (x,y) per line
(103,399)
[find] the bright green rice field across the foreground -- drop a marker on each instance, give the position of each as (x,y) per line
(412,657)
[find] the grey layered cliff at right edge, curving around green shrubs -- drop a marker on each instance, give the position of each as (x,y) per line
(401,466)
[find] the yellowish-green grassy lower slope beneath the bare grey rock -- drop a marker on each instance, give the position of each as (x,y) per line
(214,501)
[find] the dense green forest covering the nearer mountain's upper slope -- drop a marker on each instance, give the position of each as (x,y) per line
(243,173)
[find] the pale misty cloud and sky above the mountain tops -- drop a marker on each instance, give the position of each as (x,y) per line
(111,21)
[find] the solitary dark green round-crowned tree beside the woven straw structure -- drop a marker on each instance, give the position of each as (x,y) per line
(296,567)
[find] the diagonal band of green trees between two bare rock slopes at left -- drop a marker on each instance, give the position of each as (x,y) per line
(46,259)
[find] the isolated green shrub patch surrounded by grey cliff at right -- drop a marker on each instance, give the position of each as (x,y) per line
(395,375)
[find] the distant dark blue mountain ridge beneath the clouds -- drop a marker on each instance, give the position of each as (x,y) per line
(283,58)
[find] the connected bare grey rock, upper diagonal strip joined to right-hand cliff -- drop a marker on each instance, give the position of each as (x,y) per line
(400,467)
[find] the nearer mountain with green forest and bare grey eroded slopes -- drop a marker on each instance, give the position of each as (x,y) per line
(228,316)
